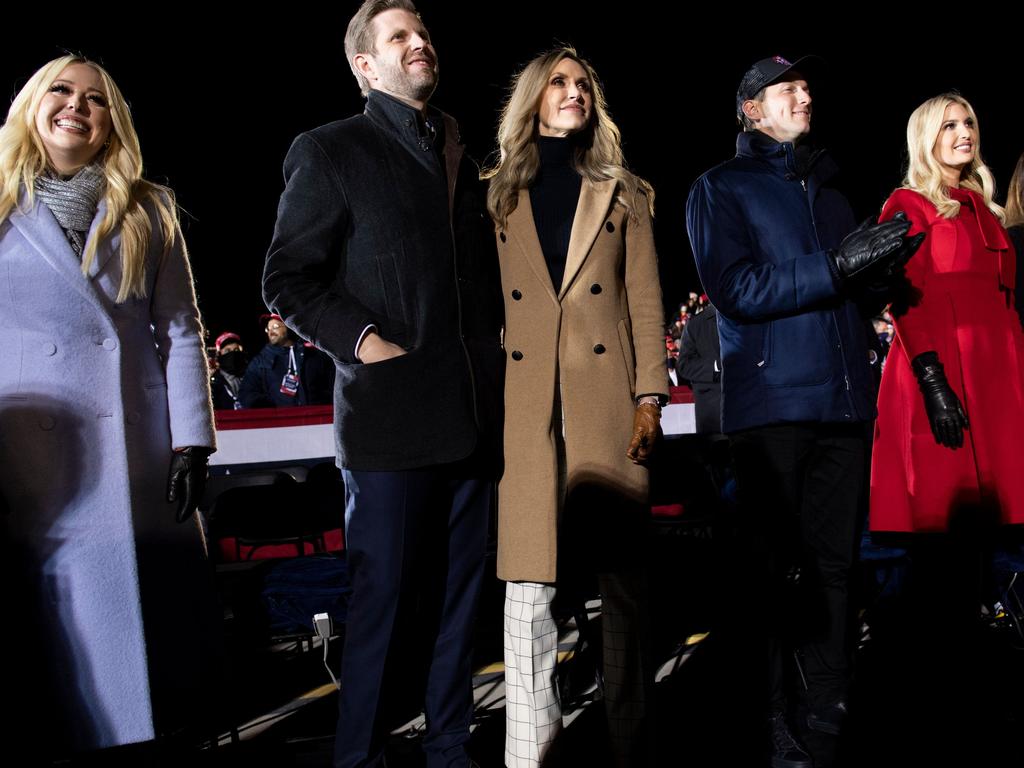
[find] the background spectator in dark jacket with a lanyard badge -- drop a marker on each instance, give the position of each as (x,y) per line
(287,374)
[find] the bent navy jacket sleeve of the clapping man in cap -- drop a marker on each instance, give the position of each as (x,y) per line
(742,288)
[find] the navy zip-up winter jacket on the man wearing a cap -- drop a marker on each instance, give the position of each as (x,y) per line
(793,348)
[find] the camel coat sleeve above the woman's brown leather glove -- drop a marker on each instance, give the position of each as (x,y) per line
(644,294)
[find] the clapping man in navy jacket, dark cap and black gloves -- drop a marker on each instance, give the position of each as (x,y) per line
(780,259)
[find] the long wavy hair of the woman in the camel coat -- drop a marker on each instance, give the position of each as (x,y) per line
(599,154)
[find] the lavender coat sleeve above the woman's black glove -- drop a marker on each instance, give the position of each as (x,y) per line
(179,335)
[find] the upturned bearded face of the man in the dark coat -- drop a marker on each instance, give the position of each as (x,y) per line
(404,63)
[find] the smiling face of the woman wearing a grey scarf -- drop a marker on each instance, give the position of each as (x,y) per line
(74,119)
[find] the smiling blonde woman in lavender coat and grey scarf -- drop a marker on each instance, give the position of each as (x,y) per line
(106,426)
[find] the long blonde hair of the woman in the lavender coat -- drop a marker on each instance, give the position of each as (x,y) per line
(23,158)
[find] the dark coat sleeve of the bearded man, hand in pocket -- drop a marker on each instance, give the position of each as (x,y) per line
(304,278)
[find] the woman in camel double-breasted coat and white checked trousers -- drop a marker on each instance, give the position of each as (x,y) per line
(583,393)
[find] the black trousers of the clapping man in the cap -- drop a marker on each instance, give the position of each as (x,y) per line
(792,544)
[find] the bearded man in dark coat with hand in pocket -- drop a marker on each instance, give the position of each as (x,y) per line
(383,257)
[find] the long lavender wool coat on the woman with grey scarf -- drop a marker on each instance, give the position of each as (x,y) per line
(94,396)
